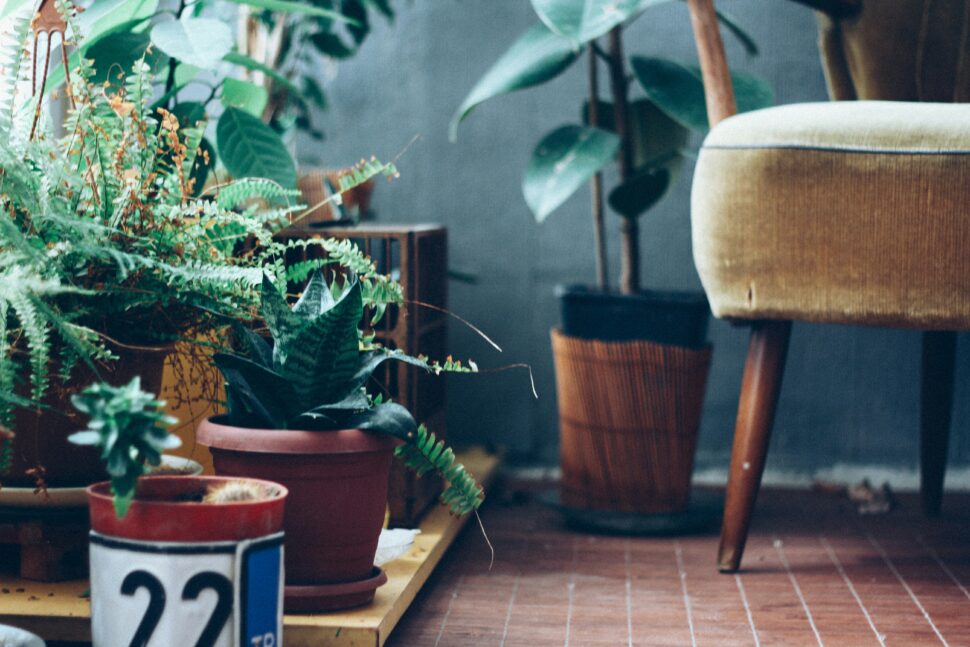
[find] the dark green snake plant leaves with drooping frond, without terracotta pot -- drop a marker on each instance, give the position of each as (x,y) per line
(315,374)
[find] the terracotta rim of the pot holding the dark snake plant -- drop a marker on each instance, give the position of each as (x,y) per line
(214,432)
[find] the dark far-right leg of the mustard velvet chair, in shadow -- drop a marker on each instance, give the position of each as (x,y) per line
(936,405)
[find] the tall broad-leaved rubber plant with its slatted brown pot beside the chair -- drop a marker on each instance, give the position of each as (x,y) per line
(637,457)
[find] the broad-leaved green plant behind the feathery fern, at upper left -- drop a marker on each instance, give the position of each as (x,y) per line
(254,82)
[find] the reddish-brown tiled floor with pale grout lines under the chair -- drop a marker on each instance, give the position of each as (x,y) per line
(815,573)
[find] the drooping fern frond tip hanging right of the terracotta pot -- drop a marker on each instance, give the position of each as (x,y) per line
(424,453)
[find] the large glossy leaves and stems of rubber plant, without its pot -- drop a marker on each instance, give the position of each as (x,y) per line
(644,135)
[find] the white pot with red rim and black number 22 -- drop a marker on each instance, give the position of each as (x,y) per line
(176,570)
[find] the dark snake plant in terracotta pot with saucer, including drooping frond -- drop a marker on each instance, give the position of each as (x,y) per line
(299,412)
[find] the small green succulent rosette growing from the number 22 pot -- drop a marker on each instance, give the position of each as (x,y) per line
(131,430)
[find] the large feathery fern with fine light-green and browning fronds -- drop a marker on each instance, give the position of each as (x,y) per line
(107,246)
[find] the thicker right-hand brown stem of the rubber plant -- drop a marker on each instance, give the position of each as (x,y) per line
(629,227)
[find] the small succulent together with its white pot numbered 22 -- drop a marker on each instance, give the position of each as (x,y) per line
(175,537)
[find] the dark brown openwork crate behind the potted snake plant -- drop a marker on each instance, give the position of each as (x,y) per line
(418,256)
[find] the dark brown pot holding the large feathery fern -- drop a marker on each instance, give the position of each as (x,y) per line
(41,435)
